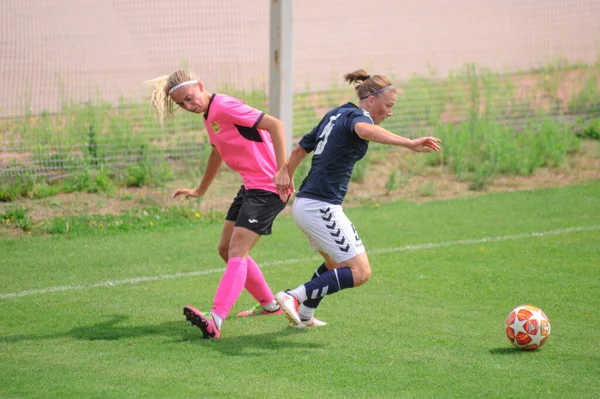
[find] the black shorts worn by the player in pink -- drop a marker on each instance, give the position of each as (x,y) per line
(255,210)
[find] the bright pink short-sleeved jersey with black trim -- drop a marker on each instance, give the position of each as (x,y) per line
(231,126)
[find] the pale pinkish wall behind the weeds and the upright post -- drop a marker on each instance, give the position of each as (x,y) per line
(56,50)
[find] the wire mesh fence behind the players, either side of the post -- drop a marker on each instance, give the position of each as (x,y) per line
(72,72)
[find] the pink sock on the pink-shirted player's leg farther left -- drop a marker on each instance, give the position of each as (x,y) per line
(230,287)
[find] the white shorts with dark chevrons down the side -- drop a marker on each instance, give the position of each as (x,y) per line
(328,229)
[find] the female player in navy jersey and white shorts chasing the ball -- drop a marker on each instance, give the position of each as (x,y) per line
(338,142)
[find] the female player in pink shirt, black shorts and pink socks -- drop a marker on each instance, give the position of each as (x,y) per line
(251,143)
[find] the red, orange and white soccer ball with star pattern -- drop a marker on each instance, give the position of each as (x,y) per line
(527,327)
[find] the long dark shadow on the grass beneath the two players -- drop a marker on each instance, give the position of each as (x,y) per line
(178,332)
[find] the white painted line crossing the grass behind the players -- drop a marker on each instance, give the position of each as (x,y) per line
(417,247)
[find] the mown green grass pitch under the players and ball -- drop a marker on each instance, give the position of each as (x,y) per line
(101,316)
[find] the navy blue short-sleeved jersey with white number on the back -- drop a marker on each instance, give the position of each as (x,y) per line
(336,149)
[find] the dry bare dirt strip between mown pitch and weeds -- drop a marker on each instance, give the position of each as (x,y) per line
(413,185)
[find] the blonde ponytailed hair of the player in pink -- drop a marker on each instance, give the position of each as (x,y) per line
(160,99)
